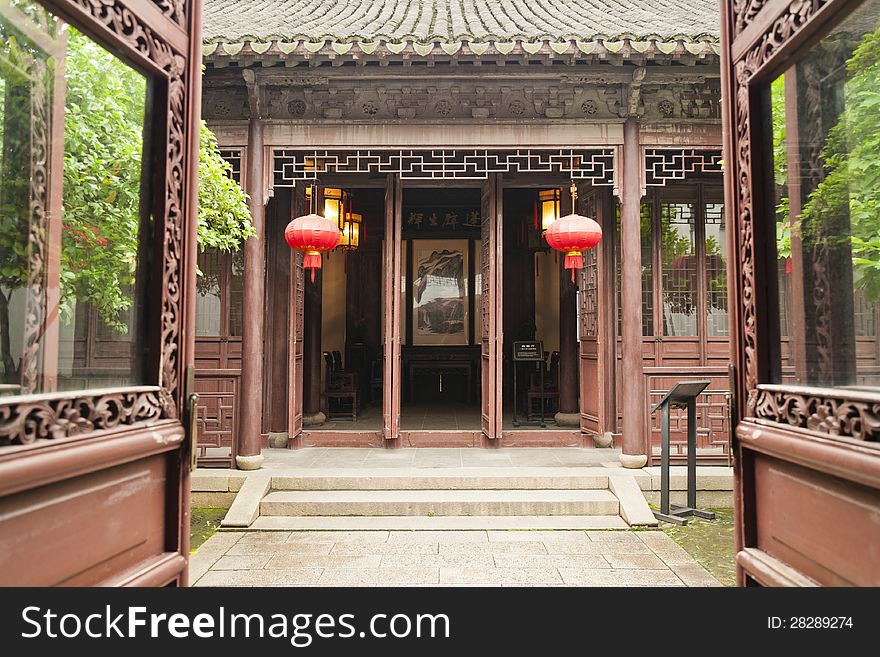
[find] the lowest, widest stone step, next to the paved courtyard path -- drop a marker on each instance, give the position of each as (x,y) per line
(435,523)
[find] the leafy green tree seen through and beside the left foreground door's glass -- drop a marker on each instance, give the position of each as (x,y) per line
(106,104)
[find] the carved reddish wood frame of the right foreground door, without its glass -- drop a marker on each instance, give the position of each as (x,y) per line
(806,462)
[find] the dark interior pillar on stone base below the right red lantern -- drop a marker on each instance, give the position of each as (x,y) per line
(569,357)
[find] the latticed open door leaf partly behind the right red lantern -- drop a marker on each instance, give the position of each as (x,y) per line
(593,313)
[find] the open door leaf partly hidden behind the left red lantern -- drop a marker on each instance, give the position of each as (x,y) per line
(295,353)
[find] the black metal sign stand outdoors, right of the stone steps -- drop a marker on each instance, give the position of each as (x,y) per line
(682,395)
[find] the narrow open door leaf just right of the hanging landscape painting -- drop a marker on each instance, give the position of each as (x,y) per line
(491,337)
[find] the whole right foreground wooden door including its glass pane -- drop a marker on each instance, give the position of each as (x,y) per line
(799,90)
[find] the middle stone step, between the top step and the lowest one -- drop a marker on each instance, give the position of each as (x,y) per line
(440,503)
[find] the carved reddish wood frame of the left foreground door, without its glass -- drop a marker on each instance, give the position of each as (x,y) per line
(59,446)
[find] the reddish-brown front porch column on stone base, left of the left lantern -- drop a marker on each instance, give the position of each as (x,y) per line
(249,456)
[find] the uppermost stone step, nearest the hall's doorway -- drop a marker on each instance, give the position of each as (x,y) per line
(446,479)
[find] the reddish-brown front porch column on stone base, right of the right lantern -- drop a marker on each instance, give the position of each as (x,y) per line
(634,402)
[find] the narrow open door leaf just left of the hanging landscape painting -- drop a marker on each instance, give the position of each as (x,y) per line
(395,297)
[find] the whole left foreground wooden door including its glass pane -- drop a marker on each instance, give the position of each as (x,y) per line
(95,467)
